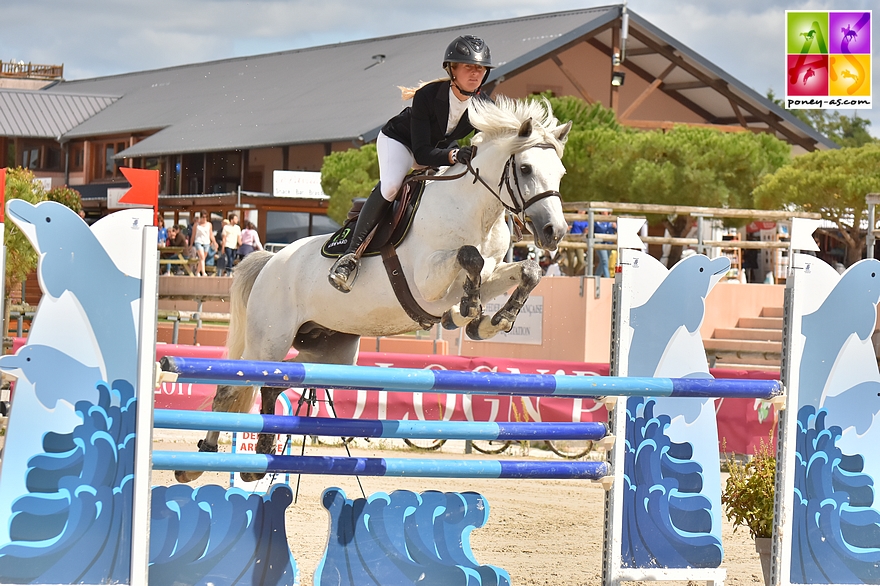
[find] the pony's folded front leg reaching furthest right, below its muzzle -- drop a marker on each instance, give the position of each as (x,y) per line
(527,274)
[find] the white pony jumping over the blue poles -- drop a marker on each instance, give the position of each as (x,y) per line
(452,259)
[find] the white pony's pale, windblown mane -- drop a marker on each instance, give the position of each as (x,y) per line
(503,119)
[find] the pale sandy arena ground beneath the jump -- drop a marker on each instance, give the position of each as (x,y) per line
(543,532)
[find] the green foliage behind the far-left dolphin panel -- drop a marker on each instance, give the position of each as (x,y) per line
(21,258)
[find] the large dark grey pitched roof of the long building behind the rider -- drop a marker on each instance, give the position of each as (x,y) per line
(346,91)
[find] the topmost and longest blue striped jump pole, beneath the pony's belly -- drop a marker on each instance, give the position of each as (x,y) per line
(296,374)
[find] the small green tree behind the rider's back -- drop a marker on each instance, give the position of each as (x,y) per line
(346,175)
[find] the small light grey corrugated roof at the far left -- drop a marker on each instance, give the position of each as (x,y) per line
(30,114)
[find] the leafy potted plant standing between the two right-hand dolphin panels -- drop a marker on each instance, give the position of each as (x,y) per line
(748,498)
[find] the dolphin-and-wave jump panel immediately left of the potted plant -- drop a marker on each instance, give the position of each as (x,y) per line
(671,494)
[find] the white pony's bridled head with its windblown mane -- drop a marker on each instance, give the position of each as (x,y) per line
(532,141)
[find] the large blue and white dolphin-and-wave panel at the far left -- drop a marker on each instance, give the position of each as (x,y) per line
(66,481)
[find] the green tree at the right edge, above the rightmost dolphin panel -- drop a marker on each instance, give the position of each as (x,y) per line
(833,183)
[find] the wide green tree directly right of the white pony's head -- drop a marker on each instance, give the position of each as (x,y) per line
(687,166)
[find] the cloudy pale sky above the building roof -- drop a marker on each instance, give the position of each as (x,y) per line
(93,38)
